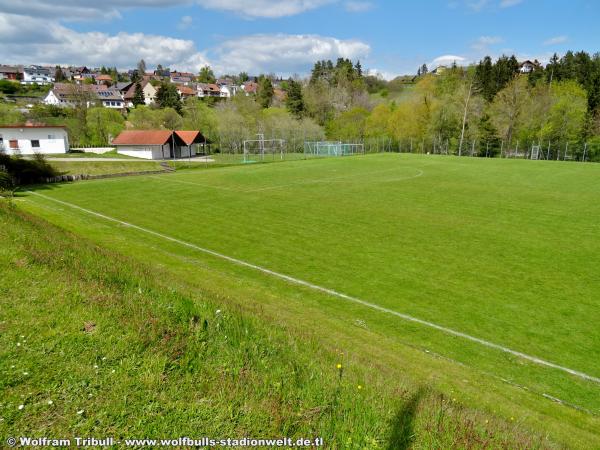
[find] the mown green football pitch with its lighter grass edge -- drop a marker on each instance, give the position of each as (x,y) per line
(504,251)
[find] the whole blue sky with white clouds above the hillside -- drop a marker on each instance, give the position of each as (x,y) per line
(286,37)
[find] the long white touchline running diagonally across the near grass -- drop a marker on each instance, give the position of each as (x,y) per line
(333,293)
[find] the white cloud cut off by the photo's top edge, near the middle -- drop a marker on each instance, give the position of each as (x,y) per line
(264,8)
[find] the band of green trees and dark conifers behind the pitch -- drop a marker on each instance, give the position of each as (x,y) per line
(486,109)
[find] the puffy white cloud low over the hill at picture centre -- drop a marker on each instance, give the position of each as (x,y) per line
(283,53)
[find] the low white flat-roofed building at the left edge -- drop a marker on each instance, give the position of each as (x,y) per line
(29,139)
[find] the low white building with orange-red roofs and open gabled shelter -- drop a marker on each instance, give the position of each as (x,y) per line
(159,144)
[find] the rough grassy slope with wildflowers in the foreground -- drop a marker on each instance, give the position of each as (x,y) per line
(92,343)
